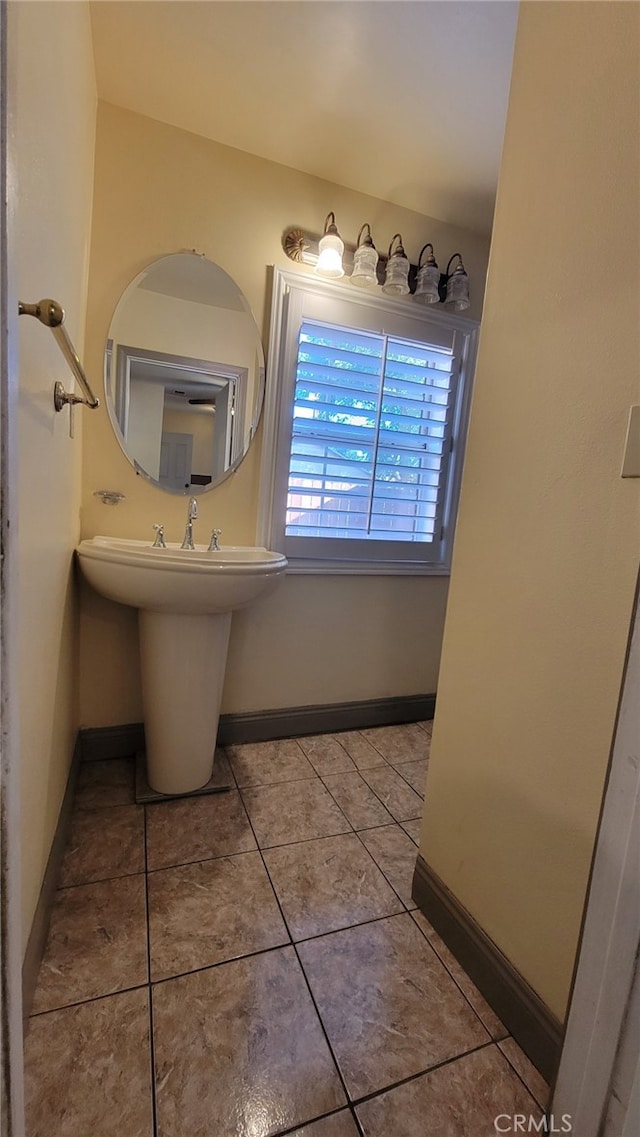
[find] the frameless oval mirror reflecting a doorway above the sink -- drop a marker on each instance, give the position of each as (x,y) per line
(185,375)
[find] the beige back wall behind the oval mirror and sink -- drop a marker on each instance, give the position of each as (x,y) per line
(160,190)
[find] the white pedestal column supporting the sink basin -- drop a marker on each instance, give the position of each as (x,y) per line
(182,660)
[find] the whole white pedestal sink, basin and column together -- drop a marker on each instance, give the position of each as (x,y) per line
(186,599)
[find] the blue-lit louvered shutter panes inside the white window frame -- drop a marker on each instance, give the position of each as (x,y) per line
(371,436)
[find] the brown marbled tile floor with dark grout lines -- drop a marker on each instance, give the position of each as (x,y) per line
(252,965)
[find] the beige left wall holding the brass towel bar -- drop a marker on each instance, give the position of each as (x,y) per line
(54,92)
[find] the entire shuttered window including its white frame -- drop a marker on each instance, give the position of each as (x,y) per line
(365,417)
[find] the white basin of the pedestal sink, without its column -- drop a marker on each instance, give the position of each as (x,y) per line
(186,582)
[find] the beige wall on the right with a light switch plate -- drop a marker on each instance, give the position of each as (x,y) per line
(548,534)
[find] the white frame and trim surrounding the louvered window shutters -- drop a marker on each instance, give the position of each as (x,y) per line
(289,289)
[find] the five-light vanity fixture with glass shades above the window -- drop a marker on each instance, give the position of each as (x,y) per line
(330,256)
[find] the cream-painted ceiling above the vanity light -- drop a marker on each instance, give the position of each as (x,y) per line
(402,99)
